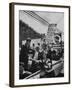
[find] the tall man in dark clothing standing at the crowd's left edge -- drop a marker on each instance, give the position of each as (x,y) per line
(24,53)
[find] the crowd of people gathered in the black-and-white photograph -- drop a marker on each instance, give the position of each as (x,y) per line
(37,57)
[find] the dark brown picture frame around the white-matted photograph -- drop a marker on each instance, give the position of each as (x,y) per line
(11,43)
